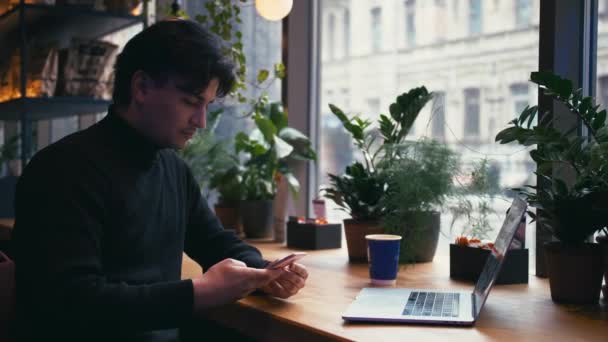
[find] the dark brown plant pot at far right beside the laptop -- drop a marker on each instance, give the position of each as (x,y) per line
(575,272)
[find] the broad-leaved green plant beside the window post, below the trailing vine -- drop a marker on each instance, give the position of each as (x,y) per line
(269,151)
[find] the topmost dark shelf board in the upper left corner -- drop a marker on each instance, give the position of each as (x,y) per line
(73,21)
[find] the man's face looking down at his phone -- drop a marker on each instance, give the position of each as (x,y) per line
(171,115)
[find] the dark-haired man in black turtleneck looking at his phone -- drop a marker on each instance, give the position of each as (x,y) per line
(103,216)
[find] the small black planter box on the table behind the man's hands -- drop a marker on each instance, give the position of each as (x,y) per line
(313,236)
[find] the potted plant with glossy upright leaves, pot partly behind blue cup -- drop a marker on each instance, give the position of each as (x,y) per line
(361,189)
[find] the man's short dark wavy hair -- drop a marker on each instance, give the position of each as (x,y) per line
(177,47)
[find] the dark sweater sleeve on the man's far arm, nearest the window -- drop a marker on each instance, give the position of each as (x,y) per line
(206,240)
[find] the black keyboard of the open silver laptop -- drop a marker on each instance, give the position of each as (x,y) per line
(434,304)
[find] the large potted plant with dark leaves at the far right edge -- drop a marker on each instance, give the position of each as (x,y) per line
(571,199)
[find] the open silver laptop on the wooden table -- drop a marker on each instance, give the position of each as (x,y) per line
(436,306)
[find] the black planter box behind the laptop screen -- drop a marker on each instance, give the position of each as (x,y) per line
(466,263)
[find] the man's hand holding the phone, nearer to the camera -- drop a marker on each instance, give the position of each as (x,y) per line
(228,281)
